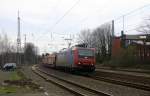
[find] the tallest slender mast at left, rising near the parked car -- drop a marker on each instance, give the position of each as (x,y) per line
(18,43)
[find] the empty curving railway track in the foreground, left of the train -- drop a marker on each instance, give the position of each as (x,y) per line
(74,88)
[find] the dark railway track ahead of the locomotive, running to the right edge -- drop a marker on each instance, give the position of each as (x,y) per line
(125,80)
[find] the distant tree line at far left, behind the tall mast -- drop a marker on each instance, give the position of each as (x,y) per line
(8,52)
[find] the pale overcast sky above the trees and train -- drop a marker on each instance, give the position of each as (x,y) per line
(39,17)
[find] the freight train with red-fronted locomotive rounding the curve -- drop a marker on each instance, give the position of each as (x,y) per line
(75,58)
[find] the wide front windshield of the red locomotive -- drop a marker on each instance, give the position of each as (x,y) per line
(85,52)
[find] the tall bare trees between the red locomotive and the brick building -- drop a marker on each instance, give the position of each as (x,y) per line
(100,38)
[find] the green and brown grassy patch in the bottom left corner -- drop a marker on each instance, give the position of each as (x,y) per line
(17,82)
